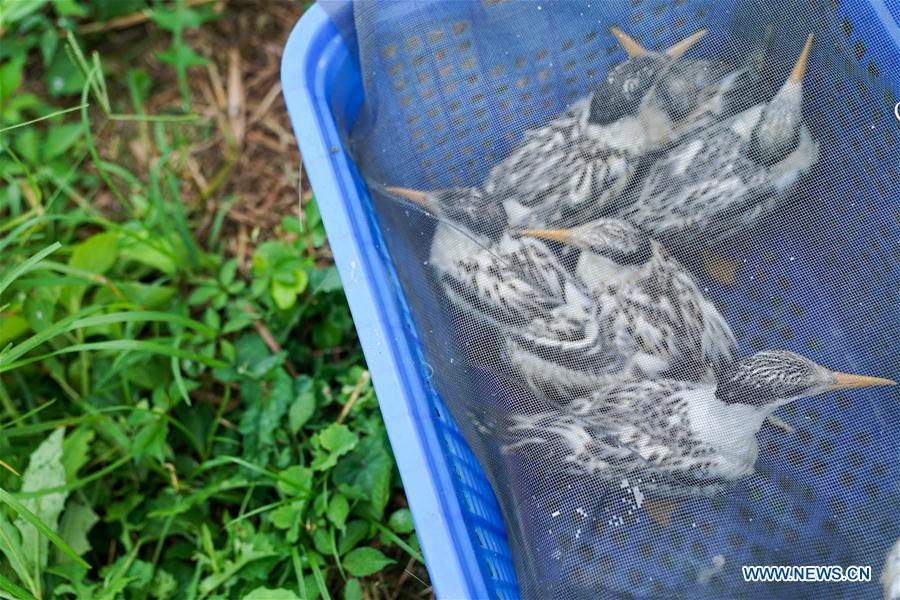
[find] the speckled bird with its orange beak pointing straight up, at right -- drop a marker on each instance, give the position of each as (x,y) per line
(727,177)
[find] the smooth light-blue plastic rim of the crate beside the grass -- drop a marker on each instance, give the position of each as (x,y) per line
(377,314)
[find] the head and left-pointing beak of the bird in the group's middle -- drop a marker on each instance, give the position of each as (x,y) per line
(615,239)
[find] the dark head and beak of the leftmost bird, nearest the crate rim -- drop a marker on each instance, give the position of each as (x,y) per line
(467,208)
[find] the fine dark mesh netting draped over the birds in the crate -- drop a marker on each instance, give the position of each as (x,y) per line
(613,384)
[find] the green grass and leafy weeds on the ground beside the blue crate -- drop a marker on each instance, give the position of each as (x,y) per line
(184,408)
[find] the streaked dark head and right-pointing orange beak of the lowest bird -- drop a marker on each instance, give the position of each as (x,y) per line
(773,378)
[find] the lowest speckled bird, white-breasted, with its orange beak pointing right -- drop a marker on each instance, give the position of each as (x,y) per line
(679,438)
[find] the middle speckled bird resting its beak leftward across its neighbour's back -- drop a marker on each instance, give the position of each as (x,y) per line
(648,301)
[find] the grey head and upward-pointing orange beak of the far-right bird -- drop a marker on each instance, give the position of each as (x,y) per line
(777,132)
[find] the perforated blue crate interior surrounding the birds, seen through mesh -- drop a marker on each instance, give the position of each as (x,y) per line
(452,86)
